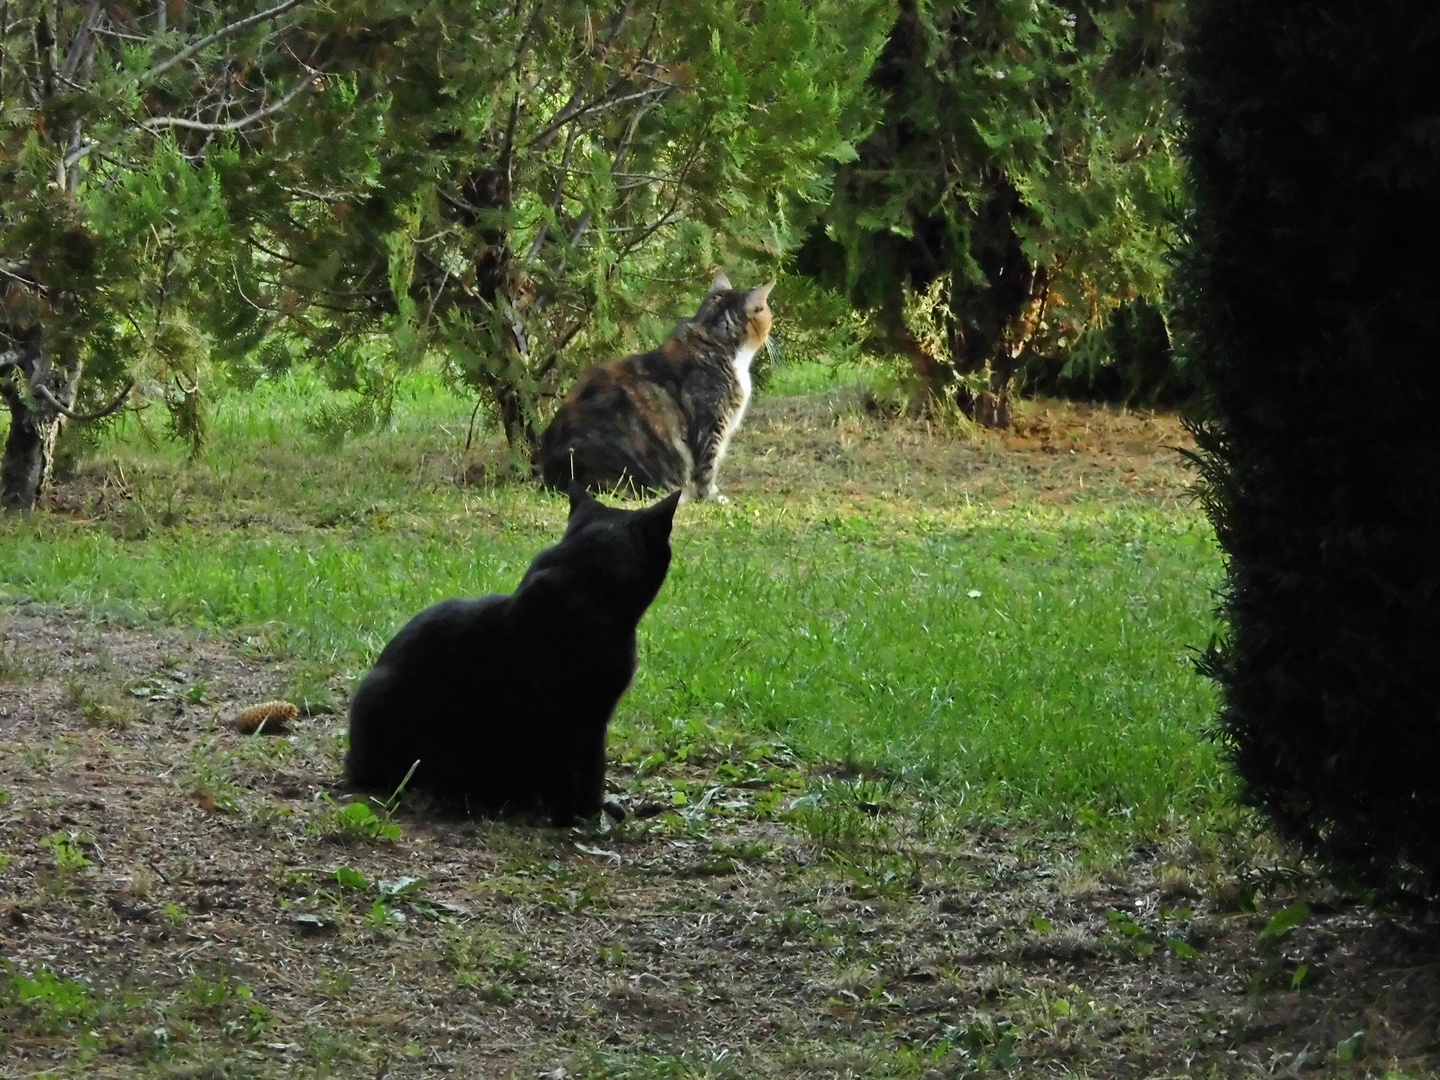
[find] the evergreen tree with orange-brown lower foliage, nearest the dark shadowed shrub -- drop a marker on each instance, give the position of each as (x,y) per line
(1016,192)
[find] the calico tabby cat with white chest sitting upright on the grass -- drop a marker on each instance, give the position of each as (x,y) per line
(663,420)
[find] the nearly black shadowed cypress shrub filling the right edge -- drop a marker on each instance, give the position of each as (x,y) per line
(1314,136)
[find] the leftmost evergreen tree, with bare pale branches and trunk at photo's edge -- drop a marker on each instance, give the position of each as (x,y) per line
(119,125)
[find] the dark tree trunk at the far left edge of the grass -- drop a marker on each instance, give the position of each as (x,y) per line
(35,423)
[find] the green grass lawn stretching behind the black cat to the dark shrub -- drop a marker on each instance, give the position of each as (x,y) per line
(1062,692)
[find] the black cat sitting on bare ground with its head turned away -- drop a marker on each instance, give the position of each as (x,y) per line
(505,701)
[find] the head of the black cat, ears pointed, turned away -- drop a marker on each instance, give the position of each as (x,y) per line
(608,557)
